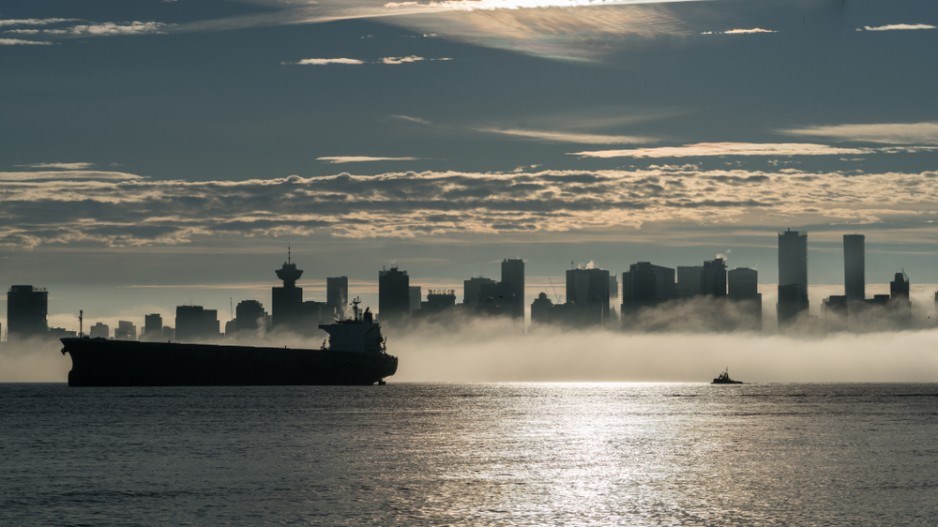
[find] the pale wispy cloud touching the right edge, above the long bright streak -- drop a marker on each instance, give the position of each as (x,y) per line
(883,133)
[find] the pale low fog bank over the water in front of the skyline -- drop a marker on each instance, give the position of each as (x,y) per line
(495,350)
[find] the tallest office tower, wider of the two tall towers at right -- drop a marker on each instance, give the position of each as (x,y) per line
(792,275)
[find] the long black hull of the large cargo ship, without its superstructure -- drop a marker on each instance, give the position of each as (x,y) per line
(100,362)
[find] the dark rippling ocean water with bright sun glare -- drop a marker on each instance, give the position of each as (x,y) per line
(470,454)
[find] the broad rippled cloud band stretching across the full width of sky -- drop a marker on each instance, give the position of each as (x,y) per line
(119,209)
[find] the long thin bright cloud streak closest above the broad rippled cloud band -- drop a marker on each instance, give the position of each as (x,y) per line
(728,149)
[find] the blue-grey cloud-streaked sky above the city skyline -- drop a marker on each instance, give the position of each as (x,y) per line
(155,153)
